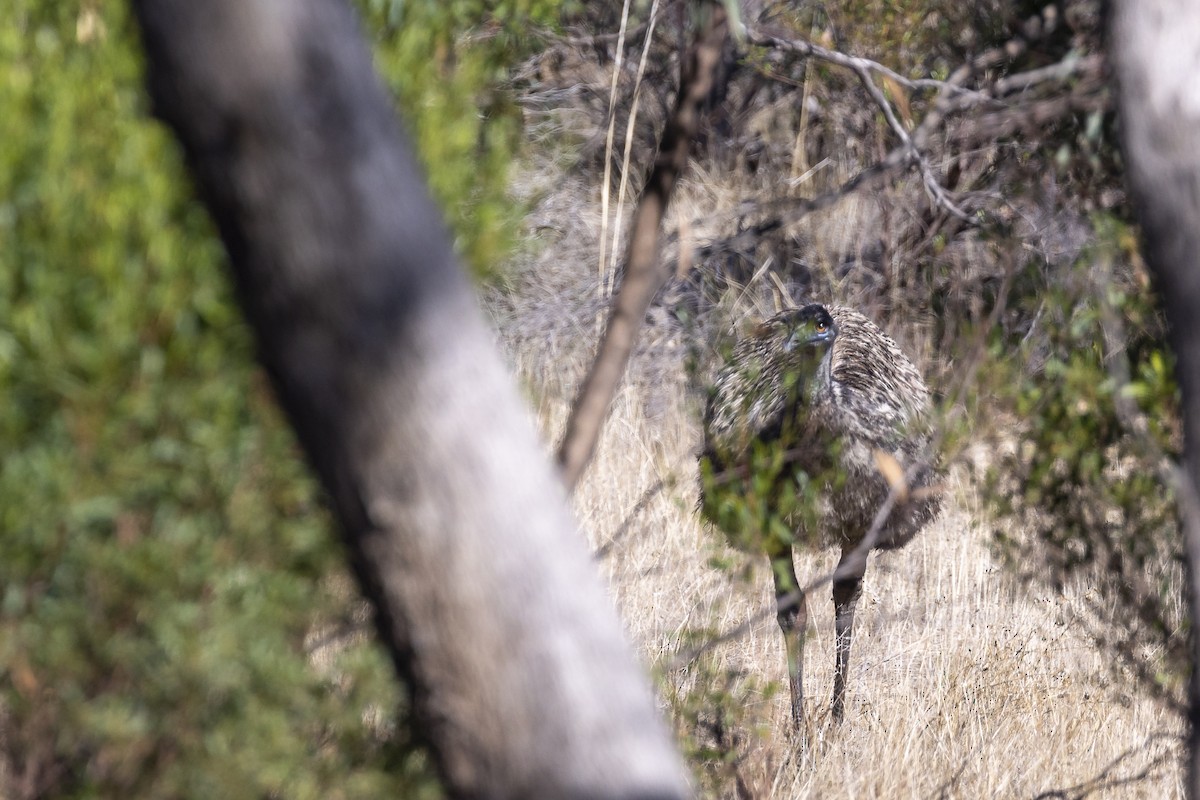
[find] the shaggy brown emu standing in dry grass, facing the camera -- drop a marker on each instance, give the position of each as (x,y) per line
(794,434)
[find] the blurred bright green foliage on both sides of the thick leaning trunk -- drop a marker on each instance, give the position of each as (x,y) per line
(166,564)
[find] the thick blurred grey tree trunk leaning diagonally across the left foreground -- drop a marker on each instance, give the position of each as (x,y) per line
(457,524)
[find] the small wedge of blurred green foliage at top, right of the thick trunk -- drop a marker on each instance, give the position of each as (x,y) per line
(447,64)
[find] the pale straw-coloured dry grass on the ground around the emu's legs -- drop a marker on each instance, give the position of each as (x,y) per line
(963,684)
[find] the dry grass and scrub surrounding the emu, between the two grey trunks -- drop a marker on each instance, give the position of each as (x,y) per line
(988,664)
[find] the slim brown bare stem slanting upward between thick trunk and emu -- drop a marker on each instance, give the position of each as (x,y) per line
(644,273)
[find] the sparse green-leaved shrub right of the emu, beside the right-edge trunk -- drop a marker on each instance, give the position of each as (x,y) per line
(1082,495)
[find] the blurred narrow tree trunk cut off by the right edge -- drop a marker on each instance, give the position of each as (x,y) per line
(1157,51)
